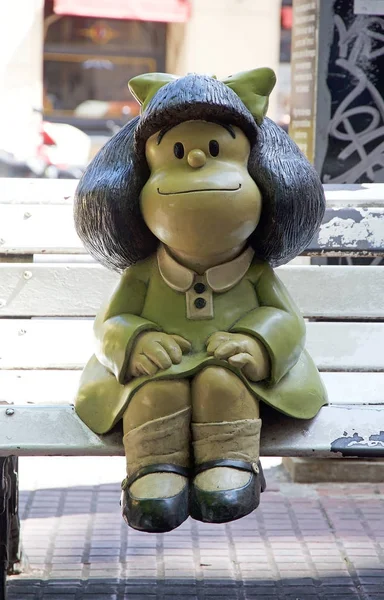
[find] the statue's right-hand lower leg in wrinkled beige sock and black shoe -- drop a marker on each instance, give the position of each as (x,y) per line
(228,474)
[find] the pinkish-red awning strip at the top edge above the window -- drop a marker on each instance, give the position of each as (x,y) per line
(170,11)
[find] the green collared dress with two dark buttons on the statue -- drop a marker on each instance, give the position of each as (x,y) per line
(158,294)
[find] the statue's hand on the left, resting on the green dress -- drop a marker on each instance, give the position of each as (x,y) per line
(154,351)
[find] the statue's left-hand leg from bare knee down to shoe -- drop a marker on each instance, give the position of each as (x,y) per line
(157,444)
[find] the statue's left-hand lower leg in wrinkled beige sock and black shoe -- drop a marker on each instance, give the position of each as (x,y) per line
(155,492)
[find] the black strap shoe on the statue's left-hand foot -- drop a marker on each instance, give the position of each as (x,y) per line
(155,515)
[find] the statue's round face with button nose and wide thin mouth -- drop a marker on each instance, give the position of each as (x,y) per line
(200,198)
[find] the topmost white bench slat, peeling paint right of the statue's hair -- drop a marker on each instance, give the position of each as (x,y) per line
(30,212)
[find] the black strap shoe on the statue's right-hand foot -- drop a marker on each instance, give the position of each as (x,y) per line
(227,505)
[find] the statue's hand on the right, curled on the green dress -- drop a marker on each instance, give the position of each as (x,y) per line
(242,351)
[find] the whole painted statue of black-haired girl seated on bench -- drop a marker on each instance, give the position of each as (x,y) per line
(194,202)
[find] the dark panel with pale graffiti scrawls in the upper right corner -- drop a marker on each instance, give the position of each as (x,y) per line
(355,151)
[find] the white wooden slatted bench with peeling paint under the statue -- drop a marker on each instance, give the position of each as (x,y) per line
(50,290)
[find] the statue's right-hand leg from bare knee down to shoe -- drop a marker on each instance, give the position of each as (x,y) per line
(226,442)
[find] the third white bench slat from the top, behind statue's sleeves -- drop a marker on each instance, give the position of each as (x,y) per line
(68,344)
